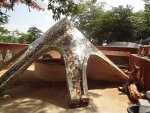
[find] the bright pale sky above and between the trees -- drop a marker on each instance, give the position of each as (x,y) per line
(22,18)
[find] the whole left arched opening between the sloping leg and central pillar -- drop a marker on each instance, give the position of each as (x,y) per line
(49,69)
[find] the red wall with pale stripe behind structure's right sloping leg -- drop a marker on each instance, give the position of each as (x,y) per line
(118,55)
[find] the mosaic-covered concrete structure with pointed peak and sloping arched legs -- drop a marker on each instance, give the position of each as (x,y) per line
(75,49)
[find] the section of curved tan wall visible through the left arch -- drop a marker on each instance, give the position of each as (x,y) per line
(50,71)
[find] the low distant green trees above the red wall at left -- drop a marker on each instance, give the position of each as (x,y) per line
(19,37)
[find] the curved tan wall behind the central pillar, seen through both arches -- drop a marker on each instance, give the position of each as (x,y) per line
(54,71)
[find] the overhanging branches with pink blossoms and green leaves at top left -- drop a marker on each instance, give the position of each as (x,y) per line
(58,7)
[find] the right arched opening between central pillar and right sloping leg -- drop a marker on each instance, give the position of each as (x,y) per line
(99,75)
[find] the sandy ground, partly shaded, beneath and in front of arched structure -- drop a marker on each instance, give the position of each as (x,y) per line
(30,95)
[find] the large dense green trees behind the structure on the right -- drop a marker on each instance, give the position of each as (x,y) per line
(118,24)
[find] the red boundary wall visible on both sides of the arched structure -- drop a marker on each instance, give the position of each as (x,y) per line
(10,52)
